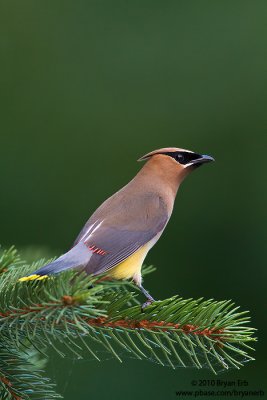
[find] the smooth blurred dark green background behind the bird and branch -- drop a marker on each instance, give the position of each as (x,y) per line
(87,87)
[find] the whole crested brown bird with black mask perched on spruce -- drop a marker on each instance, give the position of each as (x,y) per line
(117,237)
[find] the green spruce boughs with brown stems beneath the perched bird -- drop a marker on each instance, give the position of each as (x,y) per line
(83,312)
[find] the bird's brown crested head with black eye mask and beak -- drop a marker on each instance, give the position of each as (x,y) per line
(173,164)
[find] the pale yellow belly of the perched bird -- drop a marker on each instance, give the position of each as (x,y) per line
(131,266)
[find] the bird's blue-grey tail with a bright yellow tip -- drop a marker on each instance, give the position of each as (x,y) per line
(77,257)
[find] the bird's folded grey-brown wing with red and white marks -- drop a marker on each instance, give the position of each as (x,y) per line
(122,230)
